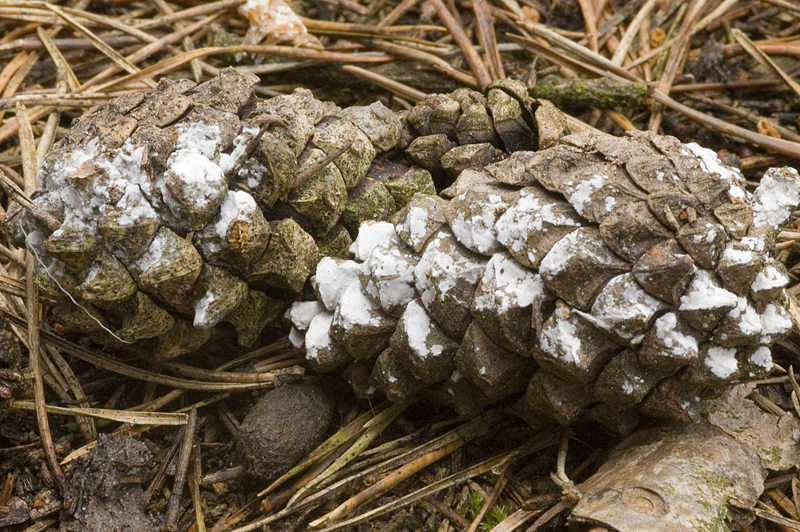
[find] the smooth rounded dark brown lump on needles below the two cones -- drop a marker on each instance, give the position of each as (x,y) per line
(284,425)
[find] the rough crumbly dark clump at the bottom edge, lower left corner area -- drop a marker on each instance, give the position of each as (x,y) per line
(105,488)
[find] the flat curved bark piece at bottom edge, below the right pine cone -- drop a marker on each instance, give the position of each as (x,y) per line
(673,479)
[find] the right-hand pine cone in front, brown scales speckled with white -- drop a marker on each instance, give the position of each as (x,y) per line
(593,275)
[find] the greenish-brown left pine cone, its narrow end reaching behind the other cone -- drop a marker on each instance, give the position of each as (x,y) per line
(190,205)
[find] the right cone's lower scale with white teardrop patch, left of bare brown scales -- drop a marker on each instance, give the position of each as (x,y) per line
(424,346)
